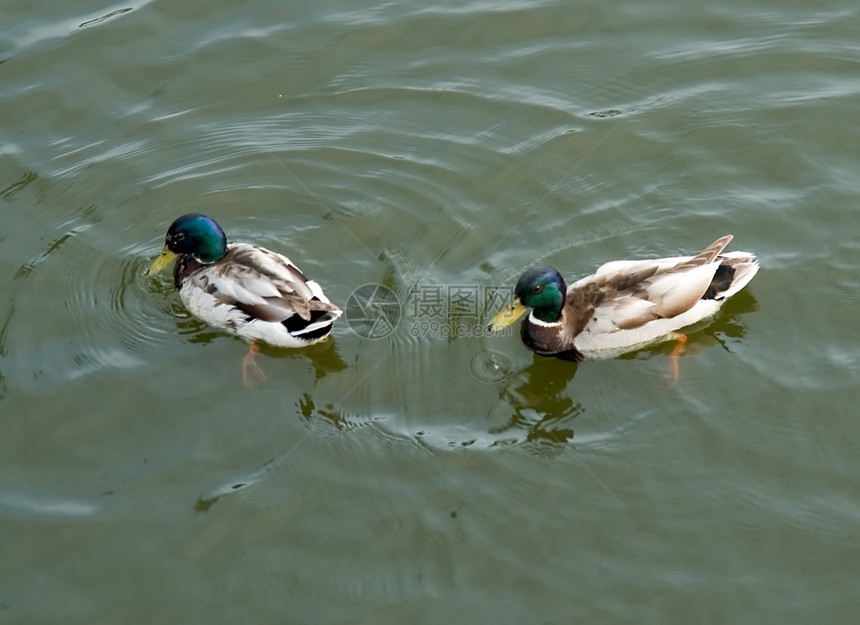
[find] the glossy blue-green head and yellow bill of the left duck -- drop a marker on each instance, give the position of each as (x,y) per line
(195,235)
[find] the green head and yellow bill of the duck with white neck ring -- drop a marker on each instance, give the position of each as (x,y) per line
(539,288)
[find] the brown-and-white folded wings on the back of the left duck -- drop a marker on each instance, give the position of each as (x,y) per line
(263,284)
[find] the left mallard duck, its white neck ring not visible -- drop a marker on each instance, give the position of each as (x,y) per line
(244,289)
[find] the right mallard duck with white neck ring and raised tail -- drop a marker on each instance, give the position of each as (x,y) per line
(625,304)
